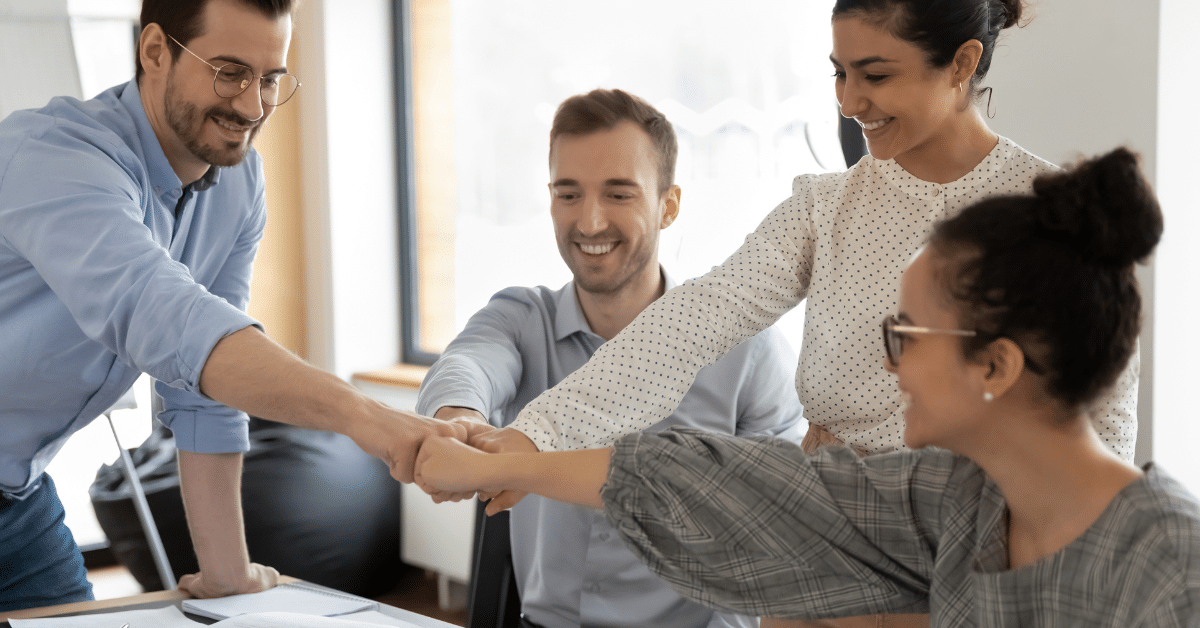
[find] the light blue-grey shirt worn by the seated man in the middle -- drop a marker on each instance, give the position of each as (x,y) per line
(572,567)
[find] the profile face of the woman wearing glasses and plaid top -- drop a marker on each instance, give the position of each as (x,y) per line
(944,392)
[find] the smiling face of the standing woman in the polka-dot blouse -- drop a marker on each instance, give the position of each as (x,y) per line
(904,106)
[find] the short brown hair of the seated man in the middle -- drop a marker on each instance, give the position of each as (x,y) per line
(602,110)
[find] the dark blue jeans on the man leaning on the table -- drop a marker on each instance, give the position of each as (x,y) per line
(40,564)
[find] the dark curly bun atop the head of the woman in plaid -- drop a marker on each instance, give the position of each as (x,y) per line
(1103,208)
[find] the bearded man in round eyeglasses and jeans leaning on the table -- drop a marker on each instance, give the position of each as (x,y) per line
(129,225)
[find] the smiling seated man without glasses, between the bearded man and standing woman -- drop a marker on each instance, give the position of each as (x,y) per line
(611,166)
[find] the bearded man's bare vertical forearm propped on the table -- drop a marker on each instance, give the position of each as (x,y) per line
(212,489)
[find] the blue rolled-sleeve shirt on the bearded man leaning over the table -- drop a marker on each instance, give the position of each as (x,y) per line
(103,279)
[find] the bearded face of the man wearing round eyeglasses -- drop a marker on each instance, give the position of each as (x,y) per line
(196,128)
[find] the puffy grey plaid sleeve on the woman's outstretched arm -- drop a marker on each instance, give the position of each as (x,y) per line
(754,527)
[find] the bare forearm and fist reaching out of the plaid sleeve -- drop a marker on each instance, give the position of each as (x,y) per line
(571,477)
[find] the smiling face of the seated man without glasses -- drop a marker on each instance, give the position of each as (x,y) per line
(607,208)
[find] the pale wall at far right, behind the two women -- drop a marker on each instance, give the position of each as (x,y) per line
(1083,77)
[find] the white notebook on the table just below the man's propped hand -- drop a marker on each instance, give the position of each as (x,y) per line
(292,597)
